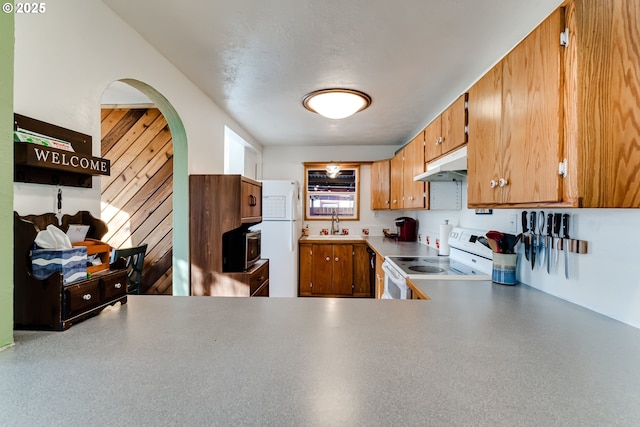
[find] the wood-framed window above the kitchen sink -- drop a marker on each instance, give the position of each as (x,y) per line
(326,192)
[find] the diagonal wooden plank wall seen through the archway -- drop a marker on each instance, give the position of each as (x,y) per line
(137,198)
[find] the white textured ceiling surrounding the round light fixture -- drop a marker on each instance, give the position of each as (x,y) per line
(257,58)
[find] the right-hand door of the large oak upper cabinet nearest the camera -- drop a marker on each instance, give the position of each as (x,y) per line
(532,116)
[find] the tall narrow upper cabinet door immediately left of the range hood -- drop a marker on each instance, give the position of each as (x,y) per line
(413,191)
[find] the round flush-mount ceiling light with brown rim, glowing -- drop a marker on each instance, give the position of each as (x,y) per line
(336,103)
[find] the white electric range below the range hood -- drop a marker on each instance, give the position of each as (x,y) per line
(468,260)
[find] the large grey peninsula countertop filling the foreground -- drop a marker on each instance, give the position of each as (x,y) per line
(476,354)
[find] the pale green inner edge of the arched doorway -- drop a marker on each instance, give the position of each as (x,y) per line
(180,245)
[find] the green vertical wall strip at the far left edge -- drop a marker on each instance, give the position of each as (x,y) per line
(6,177)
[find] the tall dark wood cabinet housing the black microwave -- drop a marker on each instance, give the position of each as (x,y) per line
(219,204)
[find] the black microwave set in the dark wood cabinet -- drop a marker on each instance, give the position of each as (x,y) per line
(240,249)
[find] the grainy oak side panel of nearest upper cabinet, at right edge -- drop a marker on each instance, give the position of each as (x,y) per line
(602,104)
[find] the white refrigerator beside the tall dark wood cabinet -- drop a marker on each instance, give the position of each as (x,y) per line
(281,228)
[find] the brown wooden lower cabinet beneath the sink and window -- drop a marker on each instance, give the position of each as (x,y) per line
(334,269)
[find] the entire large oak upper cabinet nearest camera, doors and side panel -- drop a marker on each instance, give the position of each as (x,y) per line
(577,103)
